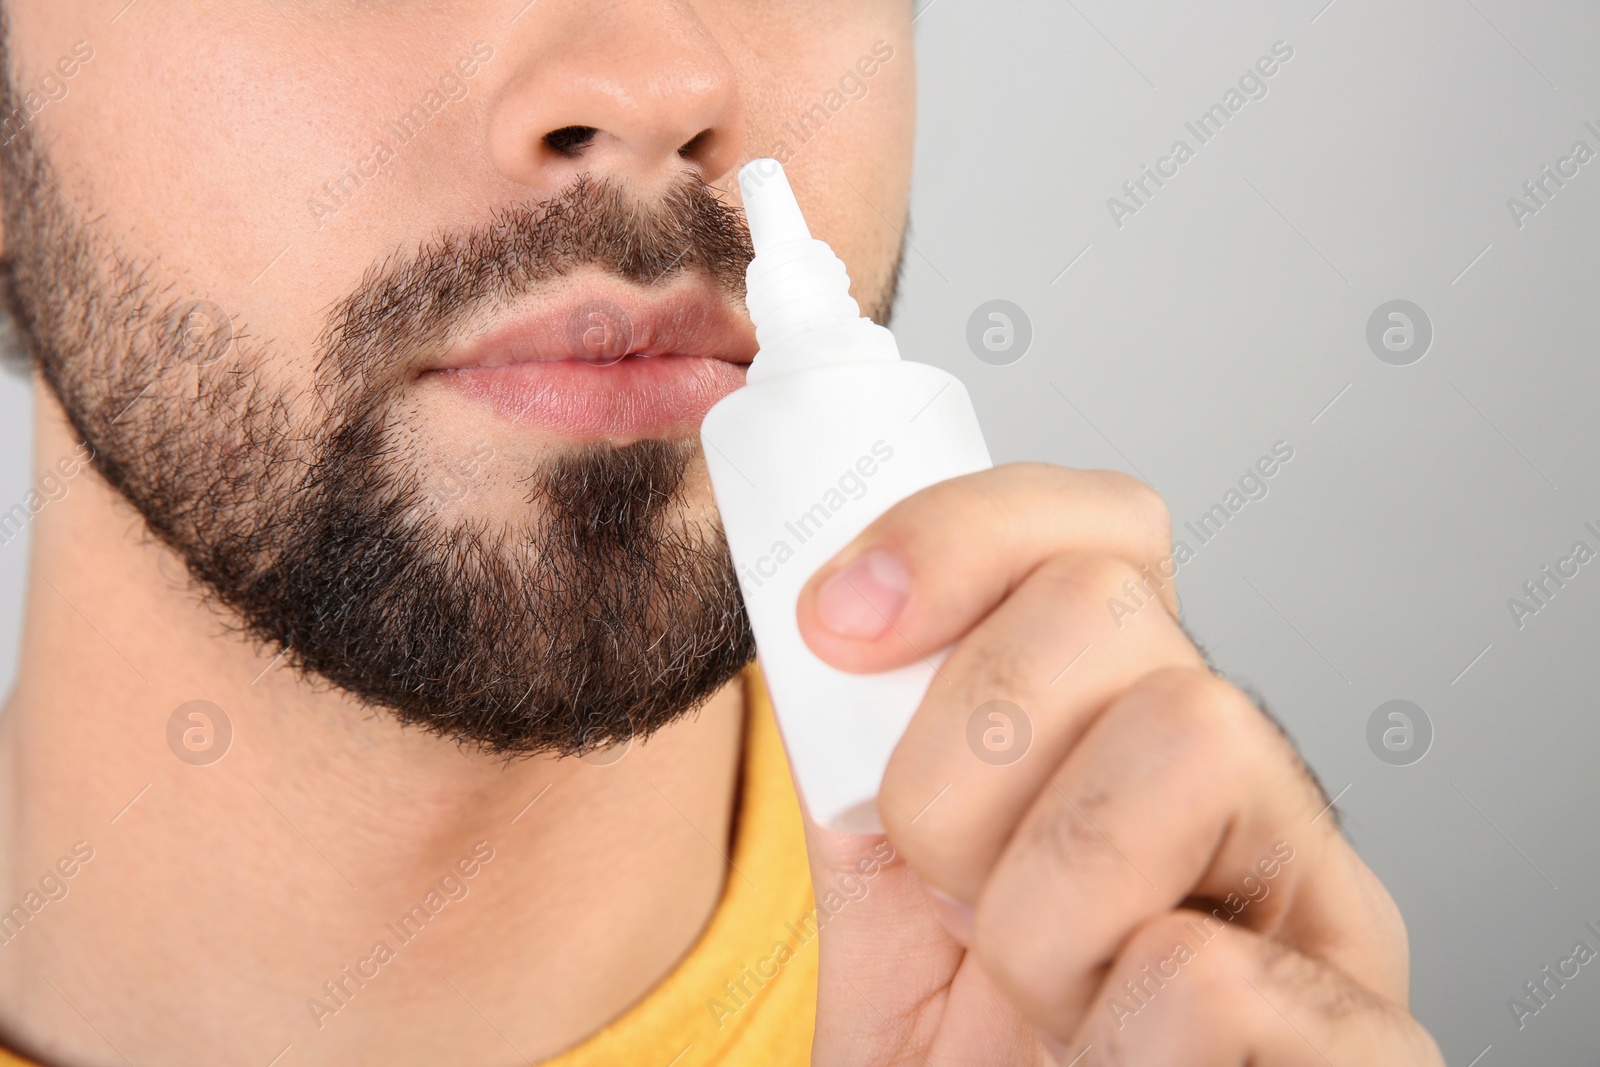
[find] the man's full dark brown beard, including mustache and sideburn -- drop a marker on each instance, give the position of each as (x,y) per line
(607,615)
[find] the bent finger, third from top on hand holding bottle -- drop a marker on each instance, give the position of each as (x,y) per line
(1178,791)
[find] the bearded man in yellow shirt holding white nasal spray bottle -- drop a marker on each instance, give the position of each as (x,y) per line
(388,330)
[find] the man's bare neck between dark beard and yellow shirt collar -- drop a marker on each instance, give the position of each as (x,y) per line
(334,884)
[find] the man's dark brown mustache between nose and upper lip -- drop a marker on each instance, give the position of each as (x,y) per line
(418,302)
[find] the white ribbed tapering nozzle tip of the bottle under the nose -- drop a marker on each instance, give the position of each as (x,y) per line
(798,287)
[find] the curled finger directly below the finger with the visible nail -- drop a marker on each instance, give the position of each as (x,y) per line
(1007,708)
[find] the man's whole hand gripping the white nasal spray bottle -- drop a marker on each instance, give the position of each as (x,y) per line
(1156,879)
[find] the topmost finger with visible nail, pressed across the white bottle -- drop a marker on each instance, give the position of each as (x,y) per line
(938,562)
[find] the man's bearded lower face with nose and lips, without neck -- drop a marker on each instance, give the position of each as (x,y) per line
(398,319)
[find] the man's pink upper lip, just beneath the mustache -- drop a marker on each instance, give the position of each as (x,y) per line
(628,321)
